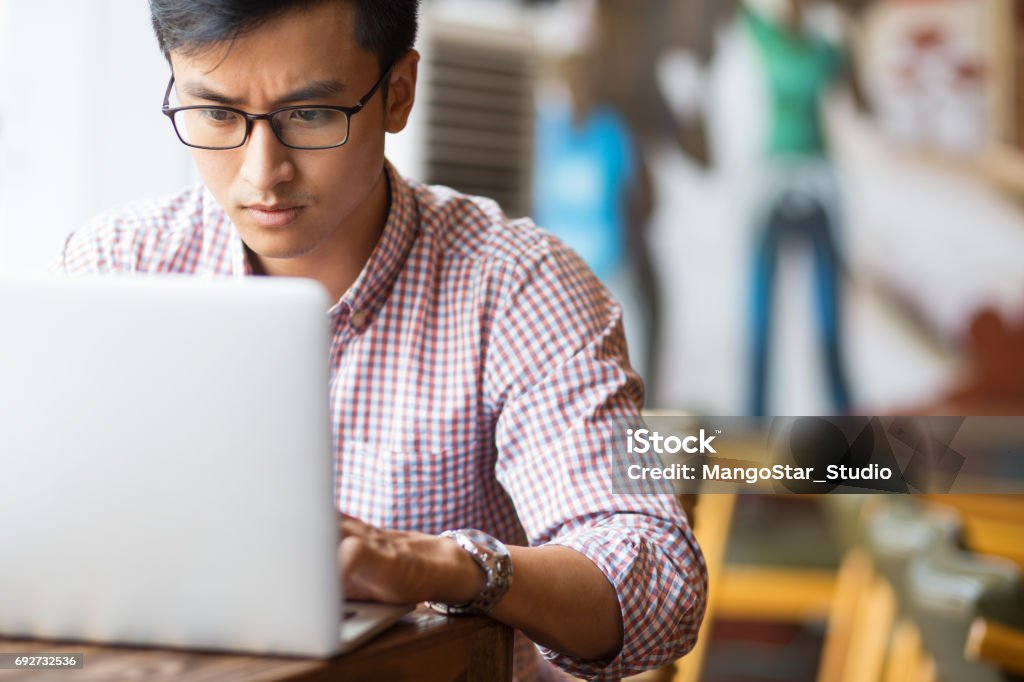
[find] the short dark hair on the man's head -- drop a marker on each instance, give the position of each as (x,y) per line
(387,28)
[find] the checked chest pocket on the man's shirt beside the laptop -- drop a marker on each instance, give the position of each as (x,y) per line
(404,489)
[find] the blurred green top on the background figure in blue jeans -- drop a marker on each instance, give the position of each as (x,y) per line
(800,70)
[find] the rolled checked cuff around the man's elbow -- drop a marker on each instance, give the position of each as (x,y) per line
(632,565)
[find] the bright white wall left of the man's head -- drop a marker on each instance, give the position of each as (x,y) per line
(80,123)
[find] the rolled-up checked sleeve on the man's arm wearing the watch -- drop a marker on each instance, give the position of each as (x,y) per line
(559,368)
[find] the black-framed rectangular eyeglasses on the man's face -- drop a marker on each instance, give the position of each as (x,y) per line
(303,127)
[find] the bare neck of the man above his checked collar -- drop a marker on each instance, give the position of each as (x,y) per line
(338,262)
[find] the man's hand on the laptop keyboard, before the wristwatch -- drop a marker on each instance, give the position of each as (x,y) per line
(404,568)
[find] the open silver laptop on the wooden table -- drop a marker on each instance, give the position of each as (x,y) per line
(166,467)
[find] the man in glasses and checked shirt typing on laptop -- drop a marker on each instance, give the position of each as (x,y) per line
(477,364)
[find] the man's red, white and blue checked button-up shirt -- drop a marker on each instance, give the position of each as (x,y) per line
(476,367)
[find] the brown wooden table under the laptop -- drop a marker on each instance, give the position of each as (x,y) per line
(424,646)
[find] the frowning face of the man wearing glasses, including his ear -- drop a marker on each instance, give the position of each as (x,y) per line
(289,203)
